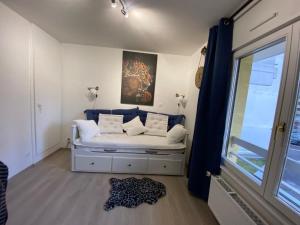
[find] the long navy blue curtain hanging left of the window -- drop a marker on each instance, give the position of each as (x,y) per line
(207,143)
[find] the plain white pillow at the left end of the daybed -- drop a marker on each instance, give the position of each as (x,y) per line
(87,129)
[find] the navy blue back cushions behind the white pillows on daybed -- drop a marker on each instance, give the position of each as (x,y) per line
(129,114)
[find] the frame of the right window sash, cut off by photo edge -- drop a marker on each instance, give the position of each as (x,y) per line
(280,151)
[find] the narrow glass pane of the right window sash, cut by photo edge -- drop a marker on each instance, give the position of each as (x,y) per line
(289,188)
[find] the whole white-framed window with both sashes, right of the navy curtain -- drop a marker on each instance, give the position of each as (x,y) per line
(262,137)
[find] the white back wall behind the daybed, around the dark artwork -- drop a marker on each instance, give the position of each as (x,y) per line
(85,66)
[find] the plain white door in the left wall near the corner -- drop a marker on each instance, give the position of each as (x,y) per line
(47,83)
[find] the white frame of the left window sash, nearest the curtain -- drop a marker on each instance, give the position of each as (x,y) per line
(268,41)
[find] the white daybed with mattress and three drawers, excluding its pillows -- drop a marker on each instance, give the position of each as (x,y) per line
(120,153)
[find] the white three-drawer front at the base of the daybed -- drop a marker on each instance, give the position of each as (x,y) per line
(148,162)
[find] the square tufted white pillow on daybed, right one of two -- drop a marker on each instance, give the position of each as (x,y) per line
(157,124)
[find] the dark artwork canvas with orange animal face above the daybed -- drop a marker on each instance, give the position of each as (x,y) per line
(138,78)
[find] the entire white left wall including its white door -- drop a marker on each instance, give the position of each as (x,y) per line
(18,65)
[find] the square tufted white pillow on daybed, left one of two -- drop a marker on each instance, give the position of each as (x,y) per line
(110,124)
